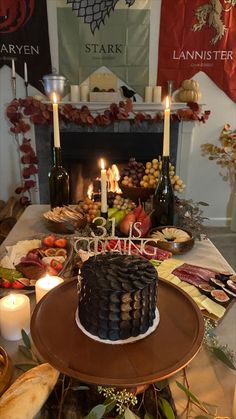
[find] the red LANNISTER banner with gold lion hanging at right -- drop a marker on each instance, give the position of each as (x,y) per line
(198,35)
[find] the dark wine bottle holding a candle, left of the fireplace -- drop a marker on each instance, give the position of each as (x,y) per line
(58,181)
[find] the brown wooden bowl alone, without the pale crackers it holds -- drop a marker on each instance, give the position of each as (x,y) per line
(177,248)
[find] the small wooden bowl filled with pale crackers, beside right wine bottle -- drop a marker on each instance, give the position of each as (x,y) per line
(171,238)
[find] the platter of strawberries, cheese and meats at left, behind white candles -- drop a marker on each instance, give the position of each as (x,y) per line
(33,255)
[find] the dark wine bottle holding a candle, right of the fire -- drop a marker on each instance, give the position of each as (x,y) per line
(163,199)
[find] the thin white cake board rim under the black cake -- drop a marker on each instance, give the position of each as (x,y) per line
(120,342)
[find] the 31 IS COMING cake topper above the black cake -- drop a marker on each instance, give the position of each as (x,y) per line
(131,245)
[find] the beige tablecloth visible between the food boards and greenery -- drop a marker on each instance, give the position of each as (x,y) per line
(209,379)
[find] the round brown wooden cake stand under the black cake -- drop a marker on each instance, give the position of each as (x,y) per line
(168,349)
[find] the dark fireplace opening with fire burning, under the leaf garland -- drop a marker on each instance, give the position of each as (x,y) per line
(83,146)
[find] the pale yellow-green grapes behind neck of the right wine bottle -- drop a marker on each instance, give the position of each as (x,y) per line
(152,174)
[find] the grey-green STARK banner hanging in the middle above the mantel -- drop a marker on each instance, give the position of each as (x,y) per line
(121,44)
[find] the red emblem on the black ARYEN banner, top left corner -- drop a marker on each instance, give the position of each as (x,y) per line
(14,14)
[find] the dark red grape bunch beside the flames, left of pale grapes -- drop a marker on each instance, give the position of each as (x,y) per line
(132,173)
